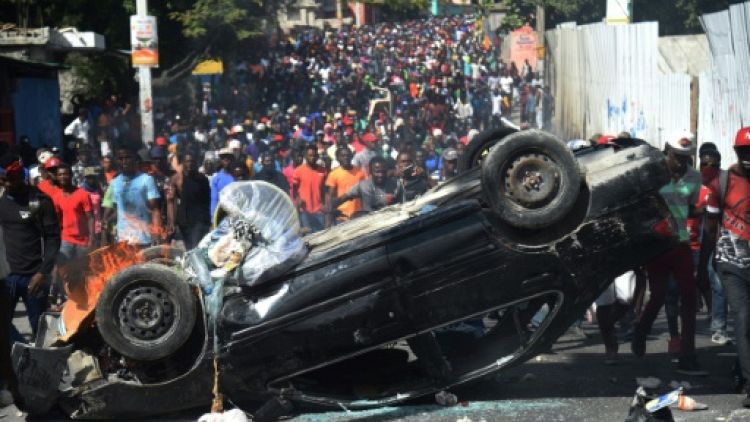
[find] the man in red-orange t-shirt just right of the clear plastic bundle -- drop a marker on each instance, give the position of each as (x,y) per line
(308,190)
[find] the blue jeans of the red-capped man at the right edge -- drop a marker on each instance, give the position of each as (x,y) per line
(738,294)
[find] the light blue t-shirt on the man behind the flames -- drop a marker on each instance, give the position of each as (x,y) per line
(131,196)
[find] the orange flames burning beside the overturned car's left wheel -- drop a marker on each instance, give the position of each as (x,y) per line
(83,293)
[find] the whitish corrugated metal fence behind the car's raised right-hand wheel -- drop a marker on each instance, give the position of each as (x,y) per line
(605,79)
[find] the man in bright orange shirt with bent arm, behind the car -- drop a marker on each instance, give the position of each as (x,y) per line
(339,181)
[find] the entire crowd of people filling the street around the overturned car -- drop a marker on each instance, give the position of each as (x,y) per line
(346,122)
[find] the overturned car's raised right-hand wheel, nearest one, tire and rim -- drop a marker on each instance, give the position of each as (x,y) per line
(531,179)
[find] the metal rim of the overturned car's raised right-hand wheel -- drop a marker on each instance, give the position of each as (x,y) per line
(531,180)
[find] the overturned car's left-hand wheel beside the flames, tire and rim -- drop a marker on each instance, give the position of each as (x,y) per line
(158,292)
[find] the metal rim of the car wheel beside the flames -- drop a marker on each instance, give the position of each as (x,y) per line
(146,313)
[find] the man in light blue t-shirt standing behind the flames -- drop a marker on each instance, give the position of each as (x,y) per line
(136,198)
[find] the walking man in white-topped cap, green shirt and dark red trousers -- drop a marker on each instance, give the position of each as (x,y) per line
(681,194)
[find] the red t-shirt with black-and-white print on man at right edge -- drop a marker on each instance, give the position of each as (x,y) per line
(733,245)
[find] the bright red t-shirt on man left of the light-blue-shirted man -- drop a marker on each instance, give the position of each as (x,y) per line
(74,209)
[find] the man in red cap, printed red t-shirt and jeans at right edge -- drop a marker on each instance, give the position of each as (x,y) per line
(727,211)
